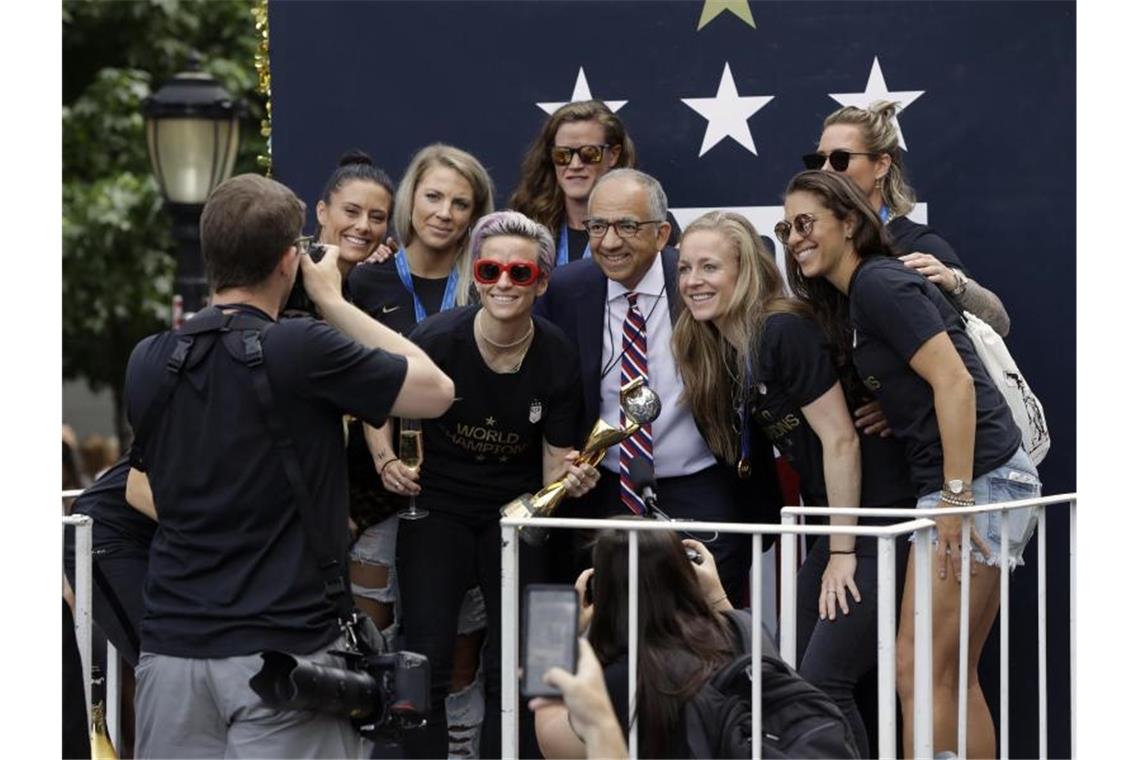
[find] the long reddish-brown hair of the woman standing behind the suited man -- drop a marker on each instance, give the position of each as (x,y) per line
(539,194)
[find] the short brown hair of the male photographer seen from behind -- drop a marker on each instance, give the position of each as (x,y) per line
(248,224)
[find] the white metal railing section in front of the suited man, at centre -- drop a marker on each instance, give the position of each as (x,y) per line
(885,535)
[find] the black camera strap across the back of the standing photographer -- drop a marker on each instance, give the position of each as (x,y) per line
(216,324)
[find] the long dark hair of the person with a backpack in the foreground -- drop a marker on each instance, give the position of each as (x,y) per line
(682,641)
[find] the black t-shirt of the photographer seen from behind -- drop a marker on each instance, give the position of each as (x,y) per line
(232,571)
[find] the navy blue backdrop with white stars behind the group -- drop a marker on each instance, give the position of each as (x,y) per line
(990,127)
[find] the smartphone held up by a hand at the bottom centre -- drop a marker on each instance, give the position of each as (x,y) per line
(550,635)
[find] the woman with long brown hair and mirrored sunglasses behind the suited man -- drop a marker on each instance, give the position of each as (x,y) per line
(577,145)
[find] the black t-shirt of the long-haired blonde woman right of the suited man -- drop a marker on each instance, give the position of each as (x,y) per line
(794,367)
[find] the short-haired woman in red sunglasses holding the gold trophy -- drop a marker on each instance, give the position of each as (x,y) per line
(510,432)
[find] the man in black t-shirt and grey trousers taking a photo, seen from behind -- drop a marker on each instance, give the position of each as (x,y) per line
(233,573)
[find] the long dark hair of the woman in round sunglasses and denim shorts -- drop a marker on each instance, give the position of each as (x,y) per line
(842,198)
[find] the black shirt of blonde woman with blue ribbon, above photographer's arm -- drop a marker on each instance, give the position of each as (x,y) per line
(378,290)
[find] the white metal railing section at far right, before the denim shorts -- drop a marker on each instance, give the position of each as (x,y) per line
(924,740)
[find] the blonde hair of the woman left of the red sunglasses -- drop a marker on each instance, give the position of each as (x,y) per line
(469,168)
